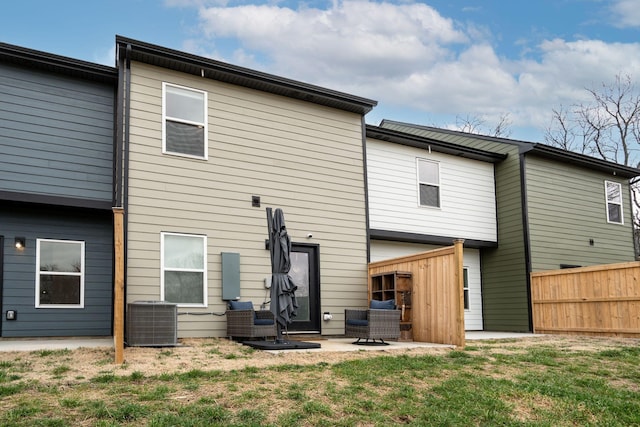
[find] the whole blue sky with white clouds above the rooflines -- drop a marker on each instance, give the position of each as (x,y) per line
(425,62)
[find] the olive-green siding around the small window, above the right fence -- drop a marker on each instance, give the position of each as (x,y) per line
(560,231)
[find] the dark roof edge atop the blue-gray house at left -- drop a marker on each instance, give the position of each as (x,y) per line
(58,64)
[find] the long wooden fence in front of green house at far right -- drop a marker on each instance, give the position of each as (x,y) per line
(598,300)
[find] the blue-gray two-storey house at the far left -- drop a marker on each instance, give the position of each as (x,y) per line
(56,193)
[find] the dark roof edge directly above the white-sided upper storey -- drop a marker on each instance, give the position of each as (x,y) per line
(433,144)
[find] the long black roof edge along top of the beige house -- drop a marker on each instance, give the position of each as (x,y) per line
(212,69)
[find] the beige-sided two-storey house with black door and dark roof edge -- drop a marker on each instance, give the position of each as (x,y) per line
(208,147)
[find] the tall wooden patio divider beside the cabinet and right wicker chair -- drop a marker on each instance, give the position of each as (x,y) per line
(437,294)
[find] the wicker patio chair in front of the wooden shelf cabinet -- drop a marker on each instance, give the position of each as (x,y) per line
(372,324)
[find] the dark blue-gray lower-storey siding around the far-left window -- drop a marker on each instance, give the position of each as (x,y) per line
(18,291)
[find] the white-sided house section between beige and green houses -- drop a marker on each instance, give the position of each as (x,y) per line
(424,194)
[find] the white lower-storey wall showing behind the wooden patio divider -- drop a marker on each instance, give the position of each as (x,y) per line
(381,250)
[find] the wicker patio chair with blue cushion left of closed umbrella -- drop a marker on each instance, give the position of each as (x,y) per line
(244,322)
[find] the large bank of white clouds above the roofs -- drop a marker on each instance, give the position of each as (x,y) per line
(408,55)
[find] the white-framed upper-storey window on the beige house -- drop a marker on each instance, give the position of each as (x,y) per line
(184,116)
